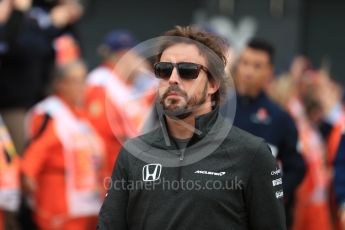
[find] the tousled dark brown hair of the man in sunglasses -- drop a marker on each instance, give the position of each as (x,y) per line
(212,47)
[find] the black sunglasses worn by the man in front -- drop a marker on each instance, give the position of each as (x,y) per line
(186,70)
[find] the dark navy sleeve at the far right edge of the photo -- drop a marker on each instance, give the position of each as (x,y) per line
(339,174)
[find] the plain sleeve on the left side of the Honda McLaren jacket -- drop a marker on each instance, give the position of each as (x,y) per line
(113,211)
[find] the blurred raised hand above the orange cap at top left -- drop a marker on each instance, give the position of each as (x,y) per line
(65,14)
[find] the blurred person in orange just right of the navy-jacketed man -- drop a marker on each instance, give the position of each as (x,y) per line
(311,211)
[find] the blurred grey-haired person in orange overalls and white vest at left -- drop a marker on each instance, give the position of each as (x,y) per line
(63,166)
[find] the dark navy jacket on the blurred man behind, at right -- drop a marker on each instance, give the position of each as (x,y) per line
(262,117)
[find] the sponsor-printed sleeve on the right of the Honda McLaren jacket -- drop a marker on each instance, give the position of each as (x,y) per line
(264,192)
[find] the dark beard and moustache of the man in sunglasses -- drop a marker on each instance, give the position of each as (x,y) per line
(173,108)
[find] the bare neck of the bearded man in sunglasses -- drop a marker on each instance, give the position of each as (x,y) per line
(185,128)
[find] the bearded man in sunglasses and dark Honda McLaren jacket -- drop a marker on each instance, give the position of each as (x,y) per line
(167,179)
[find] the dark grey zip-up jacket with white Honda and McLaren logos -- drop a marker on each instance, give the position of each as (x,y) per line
(238,186)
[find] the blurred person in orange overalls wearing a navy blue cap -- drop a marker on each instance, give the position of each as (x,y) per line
(120,93)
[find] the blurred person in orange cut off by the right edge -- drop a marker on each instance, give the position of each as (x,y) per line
(329,93)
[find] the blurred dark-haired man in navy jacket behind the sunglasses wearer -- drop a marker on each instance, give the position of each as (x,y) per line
(257,114)
